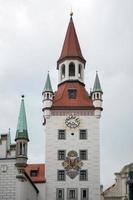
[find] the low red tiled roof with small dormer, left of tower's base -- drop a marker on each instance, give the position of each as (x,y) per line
(40,168)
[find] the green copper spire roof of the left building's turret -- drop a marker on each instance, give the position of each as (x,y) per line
(22,132)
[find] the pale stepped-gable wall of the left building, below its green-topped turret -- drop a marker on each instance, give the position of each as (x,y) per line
(12,188)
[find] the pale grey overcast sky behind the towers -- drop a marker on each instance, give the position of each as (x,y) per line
(31,37)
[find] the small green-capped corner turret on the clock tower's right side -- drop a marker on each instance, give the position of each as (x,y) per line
(97,96)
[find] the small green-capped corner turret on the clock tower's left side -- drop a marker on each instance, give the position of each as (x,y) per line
(47,97)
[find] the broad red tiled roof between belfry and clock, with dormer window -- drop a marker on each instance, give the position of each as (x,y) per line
(62,100)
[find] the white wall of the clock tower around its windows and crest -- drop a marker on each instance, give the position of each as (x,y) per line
(91,123)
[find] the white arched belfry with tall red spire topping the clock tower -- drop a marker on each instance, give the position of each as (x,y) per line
(71,62)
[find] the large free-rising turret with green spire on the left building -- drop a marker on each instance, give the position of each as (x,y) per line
(22,138)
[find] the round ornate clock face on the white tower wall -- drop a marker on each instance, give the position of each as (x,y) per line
(72,121)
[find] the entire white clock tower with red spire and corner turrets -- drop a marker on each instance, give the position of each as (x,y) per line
(71,120)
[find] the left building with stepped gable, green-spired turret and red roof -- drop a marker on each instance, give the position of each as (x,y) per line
(18,180)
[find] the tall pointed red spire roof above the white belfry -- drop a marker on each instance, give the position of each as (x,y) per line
(71,47)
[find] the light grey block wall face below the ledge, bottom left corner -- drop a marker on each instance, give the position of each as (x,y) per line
(8,173)
